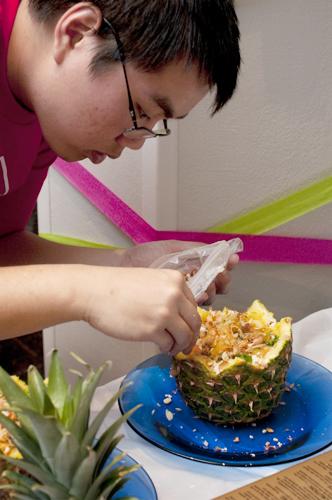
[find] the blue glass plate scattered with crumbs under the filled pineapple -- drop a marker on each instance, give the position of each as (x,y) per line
(300,426)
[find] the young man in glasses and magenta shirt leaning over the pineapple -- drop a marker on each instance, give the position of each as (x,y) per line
(87,80)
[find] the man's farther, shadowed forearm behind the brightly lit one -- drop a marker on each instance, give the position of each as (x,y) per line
(25,248)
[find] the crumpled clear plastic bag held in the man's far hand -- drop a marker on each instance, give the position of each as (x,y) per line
(207,260)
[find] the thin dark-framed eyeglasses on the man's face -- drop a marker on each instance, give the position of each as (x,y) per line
(135,132)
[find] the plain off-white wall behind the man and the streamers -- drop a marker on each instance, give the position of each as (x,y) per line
(274,137)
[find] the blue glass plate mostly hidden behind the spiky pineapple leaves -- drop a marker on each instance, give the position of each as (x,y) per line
(139,484)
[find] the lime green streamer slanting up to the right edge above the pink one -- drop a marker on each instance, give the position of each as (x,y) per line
(279,212)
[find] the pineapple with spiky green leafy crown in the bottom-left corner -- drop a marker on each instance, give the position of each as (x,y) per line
(53,452)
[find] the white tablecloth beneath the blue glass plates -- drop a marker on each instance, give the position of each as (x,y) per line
(177,478)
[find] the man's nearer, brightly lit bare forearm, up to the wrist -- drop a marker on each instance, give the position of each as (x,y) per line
(35,297)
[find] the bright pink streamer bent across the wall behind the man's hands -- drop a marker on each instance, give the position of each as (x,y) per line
(278,249)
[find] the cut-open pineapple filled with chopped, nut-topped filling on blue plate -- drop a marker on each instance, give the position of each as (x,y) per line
(235,373)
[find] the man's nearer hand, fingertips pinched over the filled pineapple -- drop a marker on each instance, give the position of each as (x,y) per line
(139,304)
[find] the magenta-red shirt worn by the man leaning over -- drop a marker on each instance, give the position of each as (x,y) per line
(24,154)
